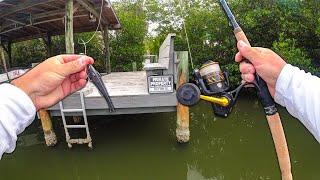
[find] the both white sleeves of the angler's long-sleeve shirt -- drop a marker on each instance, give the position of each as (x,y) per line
(296,90)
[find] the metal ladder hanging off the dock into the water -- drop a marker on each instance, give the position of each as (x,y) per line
(70,141)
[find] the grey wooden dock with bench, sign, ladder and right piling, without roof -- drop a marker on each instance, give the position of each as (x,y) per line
(150,91)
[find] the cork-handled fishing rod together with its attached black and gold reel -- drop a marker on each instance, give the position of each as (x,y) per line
(211,84)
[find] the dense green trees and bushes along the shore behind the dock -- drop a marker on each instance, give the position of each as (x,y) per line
(290,28)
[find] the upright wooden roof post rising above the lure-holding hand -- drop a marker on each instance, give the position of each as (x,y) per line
(69,27)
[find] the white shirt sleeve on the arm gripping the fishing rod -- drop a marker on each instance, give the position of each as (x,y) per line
(299,92)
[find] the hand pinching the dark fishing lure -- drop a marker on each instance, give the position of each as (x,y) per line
(54,79)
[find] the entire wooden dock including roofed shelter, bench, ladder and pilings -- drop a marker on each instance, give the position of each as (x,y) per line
(152,90)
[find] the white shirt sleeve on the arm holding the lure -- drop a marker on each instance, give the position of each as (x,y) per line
(17,111)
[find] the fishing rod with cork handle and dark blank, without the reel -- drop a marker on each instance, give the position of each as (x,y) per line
(267,103)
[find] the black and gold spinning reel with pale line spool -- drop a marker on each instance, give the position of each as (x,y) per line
(211,85)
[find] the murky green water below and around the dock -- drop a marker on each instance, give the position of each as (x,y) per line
(144,147)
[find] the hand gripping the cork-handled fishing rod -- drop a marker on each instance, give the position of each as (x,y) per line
(265,62)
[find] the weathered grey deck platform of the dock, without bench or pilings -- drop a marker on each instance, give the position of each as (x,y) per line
(129,93)
